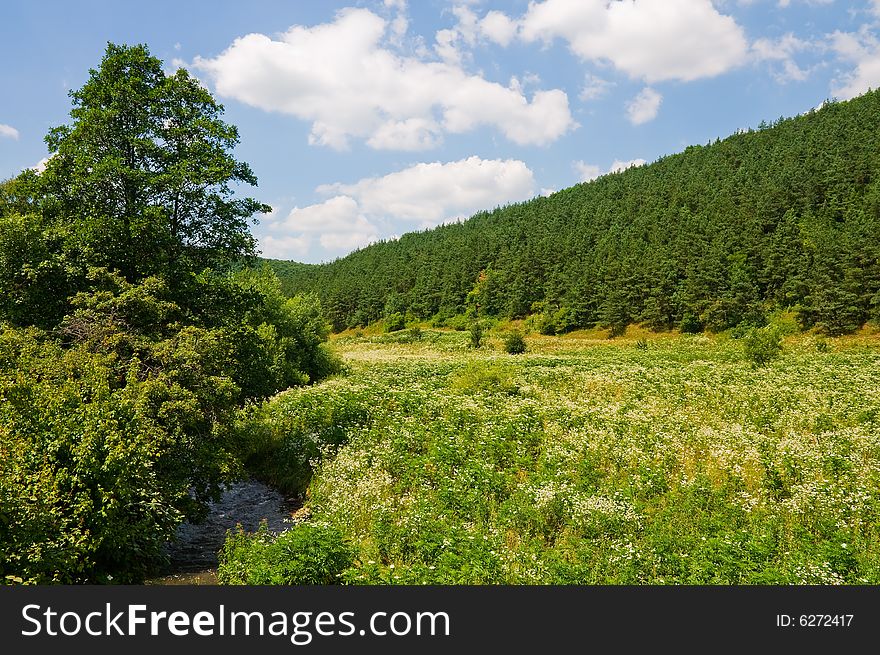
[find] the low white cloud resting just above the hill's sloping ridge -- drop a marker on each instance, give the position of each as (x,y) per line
(420,196)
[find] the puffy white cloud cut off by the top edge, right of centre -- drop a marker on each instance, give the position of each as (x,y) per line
(653,40)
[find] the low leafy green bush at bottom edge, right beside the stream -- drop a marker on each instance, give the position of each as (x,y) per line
(304,555)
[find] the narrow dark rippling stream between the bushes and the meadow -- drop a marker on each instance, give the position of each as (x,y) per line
(194,554)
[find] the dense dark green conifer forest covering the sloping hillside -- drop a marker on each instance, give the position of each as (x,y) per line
(785,217)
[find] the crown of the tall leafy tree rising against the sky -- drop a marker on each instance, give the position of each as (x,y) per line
(141,179)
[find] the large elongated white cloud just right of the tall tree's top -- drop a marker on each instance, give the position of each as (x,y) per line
(340,77)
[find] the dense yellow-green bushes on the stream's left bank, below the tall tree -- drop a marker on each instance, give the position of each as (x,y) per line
(97,473)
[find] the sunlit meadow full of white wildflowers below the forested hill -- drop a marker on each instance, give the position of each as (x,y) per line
(669,461)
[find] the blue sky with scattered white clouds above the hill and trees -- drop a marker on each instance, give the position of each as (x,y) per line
(367,119)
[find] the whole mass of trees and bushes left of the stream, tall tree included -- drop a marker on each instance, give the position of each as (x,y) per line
(131,328)
